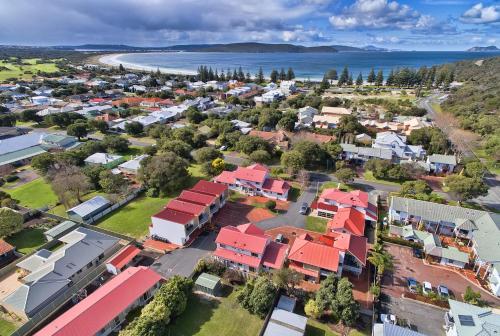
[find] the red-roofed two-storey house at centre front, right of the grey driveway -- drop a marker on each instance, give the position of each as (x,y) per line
(247,248)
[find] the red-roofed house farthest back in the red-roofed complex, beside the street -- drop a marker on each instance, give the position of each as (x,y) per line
(254,180)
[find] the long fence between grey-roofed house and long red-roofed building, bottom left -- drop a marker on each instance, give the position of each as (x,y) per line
(51,308)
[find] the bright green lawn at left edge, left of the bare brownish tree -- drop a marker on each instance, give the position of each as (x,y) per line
(34,194)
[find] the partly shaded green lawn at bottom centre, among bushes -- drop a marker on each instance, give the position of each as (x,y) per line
(205,317)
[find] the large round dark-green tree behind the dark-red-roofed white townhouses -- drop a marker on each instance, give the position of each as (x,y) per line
(164,173)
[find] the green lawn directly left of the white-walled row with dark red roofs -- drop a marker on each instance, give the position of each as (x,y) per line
(134,218)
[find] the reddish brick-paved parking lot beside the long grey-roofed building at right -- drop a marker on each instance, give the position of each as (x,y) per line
(406,265)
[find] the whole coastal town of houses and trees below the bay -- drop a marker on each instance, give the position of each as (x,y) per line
(140,202)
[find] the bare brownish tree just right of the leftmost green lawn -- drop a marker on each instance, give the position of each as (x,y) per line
(69,184)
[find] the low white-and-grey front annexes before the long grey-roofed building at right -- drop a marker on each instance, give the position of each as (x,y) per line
(448,256)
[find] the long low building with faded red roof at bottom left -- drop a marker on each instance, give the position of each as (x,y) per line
(103,311)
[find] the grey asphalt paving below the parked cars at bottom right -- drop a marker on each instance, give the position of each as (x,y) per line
(424,318)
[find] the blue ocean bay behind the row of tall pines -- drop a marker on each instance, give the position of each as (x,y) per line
(305,65)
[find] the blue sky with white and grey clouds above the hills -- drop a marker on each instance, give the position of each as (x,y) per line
(399,24)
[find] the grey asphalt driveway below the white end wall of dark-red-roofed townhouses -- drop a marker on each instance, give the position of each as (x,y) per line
(183,261)
